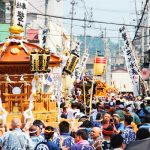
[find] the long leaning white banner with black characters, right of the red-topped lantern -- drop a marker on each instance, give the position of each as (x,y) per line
(131,64)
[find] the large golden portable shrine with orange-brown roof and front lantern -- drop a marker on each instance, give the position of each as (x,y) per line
(22,93)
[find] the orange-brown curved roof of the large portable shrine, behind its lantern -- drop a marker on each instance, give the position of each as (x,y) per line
(14,53)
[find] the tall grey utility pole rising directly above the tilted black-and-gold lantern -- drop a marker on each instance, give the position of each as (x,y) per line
(72,16)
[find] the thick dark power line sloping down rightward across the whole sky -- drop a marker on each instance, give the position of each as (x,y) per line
(90,21)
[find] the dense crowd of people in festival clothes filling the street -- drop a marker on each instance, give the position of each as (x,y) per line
(117,123)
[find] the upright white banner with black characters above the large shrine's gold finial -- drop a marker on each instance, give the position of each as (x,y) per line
(20,14)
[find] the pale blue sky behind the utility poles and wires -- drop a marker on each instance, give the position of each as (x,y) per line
(118,11)
